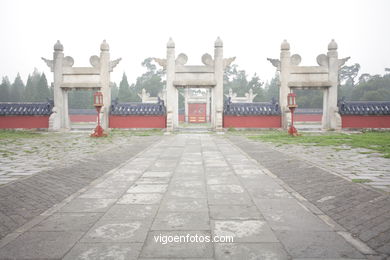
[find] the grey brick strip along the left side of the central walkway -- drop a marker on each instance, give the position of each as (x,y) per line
(28,196)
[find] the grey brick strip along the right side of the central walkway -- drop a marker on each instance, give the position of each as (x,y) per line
(361,210)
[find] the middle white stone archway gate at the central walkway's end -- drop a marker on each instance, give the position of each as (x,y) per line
(209,75)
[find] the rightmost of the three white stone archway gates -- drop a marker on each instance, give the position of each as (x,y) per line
(323,77)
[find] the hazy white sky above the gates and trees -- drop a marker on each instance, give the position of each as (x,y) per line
(135,30)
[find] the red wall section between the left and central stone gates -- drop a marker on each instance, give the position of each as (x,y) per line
(137,122)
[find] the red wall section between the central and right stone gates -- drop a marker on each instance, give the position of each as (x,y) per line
(252,121)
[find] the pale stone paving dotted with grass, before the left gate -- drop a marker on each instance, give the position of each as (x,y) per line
(23,157)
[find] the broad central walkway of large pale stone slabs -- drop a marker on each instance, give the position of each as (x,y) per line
(189,185)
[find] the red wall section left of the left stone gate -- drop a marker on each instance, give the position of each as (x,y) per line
(24,122)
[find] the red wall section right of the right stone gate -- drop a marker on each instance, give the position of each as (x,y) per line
(350,121)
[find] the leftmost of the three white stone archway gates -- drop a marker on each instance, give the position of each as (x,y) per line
(67,77)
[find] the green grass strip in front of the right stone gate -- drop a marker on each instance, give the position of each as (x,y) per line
(376,141)
